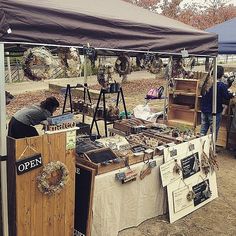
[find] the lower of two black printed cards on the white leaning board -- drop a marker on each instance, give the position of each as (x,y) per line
(202,192)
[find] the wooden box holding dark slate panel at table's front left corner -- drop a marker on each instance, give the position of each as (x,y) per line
(96,158)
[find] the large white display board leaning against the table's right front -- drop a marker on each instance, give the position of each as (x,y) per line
(204,186)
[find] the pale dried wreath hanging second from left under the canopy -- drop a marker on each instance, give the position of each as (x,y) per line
(70,59)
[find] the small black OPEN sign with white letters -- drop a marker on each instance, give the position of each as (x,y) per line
(29,163)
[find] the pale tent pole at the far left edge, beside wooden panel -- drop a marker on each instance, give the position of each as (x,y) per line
(3,145)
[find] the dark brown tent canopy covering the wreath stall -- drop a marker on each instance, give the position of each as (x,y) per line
(104,24)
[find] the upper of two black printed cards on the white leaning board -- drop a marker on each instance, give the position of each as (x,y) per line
(190,165)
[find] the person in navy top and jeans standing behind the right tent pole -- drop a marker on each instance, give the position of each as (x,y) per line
(206,104)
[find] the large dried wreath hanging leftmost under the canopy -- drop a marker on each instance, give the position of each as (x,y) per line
(36,63)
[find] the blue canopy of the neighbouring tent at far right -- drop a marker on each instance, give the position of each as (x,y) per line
(226,36)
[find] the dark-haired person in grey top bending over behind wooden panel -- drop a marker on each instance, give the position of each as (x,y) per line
(23,121)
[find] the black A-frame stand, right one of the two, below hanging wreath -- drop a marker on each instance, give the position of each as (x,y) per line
(102,96)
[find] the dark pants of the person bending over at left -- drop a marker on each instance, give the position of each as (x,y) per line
(17,129)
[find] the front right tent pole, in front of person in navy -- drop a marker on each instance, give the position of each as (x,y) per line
(214,101)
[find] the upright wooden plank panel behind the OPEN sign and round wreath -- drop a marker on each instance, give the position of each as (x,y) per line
(32,213)
